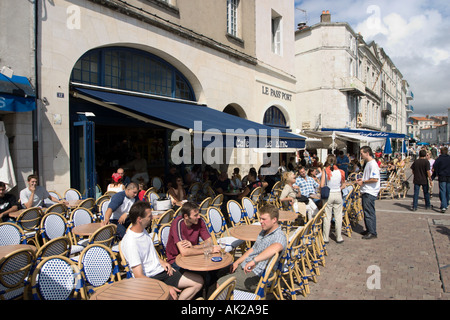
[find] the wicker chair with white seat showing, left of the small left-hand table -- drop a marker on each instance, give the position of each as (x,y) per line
(54,225)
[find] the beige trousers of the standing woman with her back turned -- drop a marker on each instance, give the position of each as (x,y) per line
(334,206)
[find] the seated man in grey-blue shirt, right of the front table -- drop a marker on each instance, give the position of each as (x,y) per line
(249,268)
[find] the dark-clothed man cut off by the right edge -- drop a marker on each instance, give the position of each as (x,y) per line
(441,168)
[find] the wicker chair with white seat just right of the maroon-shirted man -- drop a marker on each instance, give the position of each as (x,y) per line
(218,228)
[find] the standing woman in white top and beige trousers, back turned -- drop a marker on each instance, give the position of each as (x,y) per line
(334,178)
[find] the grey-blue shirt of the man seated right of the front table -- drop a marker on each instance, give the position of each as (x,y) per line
(262,243)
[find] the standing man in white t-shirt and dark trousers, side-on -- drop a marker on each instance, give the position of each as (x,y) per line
(370,186)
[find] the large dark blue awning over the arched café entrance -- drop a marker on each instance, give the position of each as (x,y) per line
(212,124)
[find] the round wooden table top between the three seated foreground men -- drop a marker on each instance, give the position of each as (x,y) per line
(200,263)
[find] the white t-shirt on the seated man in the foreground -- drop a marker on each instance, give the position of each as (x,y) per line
(138,249)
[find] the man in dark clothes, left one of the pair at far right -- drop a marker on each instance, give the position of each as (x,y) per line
(421,172)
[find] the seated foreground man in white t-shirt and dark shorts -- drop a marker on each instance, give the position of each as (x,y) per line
(140,253)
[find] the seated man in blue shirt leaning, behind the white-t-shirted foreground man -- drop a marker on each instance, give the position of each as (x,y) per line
(119,207)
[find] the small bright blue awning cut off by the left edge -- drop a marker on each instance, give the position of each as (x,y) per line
(16,94)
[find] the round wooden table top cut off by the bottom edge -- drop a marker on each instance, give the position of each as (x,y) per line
(133,289)
